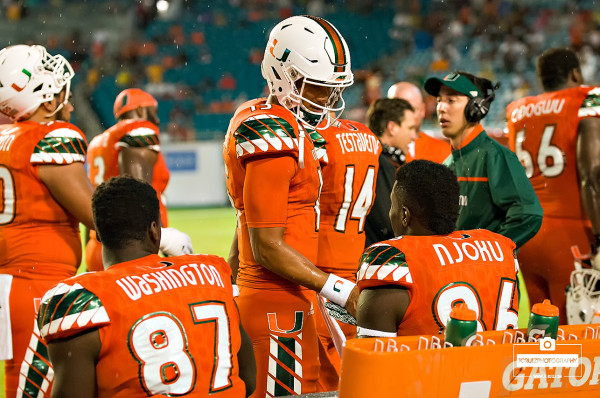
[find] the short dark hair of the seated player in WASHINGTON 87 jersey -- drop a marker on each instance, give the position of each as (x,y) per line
(123,209)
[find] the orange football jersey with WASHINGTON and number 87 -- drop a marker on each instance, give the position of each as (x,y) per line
(167,326)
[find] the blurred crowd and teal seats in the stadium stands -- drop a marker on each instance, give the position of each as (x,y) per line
(190,56)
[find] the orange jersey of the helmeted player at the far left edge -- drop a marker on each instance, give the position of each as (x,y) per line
(35,230)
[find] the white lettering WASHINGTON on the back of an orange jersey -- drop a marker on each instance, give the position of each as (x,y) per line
(170,278)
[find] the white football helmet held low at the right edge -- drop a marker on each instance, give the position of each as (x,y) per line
(583,296)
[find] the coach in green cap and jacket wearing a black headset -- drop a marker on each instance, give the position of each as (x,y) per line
(495,193)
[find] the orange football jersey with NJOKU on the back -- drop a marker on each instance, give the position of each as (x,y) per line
(477,267)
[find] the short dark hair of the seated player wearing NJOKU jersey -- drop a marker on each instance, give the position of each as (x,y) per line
(431,192)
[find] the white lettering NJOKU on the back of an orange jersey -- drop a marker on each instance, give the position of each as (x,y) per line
(478,250)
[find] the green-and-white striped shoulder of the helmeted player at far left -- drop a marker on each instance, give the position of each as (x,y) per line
(63,144)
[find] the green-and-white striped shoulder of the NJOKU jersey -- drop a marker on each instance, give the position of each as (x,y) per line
(382,262)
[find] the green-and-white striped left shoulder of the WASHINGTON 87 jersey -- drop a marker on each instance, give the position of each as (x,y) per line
(68,309)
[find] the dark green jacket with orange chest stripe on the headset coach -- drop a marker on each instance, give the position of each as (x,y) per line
(495,193)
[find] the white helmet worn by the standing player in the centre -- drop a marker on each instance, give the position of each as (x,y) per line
(307,50)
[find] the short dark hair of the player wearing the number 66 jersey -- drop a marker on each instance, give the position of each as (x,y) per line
(554,66)
